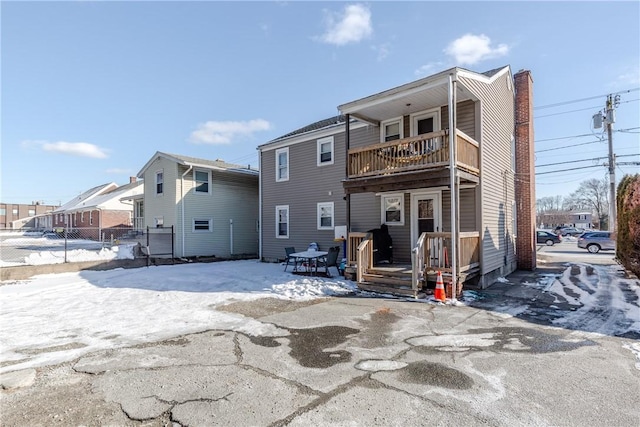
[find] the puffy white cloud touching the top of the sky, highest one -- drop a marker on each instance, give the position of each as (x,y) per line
(352,26)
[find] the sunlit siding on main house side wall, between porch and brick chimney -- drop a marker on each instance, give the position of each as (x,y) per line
(496,177)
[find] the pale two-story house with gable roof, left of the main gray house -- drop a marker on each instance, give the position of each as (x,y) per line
(212,205)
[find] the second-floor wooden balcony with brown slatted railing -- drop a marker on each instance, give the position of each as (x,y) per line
(417,159)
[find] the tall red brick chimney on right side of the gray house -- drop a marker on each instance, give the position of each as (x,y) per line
(525,185)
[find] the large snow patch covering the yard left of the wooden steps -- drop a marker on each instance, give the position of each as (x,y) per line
(54,318)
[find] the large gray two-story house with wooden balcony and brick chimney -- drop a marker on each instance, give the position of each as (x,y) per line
(387,160)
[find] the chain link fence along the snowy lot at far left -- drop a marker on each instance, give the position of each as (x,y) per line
(70,244)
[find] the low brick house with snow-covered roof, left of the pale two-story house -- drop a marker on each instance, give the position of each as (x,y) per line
(104,214)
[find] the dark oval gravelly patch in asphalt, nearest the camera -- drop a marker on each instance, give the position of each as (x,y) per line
(435,374)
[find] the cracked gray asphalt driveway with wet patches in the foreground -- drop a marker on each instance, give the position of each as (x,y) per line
(346,361)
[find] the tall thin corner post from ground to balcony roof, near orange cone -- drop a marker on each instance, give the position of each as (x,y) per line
(453,186)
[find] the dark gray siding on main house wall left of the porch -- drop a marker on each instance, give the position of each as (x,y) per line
(308,185)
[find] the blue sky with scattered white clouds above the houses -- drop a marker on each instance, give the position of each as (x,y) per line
(90,90)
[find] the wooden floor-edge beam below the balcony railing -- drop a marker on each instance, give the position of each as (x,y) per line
(406,181)
